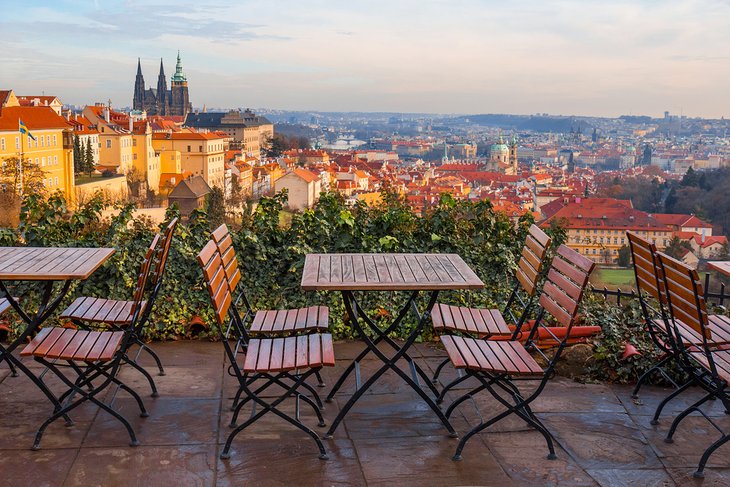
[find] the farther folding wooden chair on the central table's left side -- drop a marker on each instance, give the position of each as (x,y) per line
(274,323)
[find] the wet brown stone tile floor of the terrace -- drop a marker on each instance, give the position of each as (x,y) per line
(389,438)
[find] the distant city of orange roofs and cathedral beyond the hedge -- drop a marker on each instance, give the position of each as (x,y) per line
(665,178)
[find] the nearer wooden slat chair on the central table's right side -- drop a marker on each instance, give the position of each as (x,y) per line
(499,364)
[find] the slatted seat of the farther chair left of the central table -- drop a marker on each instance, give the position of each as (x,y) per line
(313,318)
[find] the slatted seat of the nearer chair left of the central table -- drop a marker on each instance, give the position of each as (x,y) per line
(289,353)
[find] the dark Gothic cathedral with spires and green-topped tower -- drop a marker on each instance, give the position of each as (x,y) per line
(161,101)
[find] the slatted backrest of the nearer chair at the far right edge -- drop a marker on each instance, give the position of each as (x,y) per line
(684,294)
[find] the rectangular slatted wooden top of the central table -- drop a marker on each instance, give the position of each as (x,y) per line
(387,272)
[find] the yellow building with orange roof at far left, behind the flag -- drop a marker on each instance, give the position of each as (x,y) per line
(52,149)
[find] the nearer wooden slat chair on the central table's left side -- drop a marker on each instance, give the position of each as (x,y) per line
(286,361)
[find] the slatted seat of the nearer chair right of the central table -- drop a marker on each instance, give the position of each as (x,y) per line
(508,357)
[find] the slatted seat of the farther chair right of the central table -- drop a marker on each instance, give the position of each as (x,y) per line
(474,321)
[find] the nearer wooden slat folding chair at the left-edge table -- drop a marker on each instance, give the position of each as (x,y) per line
(94,356)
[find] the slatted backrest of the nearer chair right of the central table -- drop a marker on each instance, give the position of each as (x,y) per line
(565,284)
